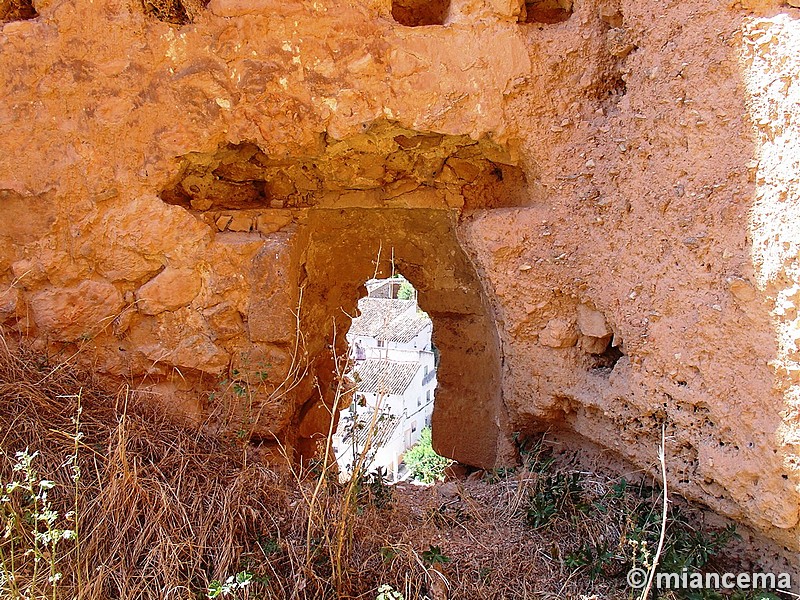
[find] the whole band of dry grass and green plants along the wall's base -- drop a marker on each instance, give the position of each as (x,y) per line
(146,508)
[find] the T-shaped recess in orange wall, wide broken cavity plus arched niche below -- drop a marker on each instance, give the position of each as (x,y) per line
(403,189)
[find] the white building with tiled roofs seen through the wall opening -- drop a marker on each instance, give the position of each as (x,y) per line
(395,373)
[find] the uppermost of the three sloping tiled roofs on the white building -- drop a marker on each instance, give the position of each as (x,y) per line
(389,320)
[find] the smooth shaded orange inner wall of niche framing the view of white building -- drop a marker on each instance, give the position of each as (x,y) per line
(343,251)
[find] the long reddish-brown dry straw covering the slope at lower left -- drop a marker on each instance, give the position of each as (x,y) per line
(164,510)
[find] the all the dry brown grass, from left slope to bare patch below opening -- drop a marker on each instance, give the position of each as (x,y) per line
(165,510)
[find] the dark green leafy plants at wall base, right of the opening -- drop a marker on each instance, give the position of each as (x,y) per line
(632,511)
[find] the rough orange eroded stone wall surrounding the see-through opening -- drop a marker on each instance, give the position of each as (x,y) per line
(596,200)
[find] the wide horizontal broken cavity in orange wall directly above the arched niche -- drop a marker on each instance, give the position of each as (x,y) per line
(385,167)
